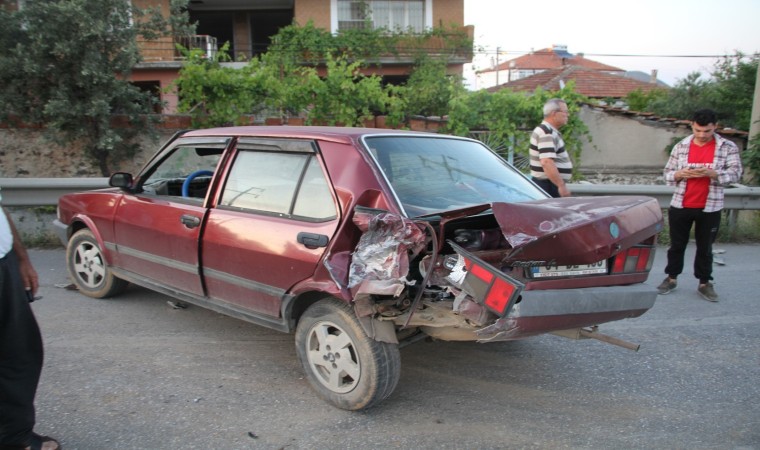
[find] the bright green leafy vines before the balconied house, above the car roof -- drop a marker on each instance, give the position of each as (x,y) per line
(217,95)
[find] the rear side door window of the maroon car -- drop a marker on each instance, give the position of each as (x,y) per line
(282,183)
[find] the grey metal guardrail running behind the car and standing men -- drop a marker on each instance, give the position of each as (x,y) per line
(45,191)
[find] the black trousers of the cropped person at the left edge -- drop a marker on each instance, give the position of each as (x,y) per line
(20,357)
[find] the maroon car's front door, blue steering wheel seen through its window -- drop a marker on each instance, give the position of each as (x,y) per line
(157,230)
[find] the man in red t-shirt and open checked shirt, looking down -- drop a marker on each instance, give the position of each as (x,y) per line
(699,166)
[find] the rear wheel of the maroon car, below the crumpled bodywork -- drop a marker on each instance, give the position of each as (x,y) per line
(344,366)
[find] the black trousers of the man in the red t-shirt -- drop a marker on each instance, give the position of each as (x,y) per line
(706,226)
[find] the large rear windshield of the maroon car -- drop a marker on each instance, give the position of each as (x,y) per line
(434,174)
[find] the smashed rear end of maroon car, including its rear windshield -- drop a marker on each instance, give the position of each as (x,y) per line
(476,252)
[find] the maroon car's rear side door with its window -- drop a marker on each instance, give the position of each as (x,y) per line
(269,229)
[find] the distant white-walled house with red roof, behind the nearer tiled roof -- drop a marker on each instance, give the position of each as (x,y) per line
(536,62)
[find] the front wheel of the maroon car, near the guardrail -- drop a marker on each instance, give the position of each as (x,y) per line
(88,268)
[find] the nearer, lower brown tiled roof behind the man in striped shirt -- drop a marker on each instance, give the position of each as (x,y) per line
(589,82)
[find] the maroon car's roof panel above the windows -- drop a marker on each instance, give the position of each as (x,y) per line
(338,134)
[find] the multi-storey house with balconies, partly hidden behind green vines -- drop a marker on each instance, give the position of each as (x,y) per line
(248,26)
